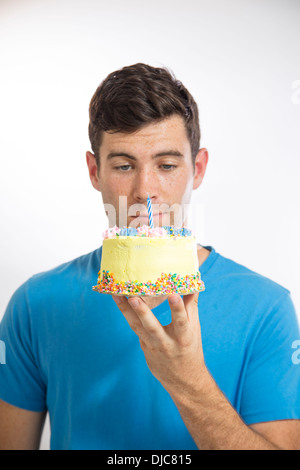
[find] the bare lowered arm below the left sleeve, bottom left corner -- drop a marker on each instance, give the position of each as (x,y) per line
(20,429)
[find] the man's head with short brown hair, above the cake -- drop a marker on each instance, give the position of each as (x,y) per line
(144,142)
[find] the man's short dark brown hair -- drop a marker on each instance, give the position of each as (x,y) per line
(137,95)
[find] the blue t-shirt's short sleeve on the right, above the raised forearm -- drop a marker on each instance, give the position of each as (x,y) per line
(272,384)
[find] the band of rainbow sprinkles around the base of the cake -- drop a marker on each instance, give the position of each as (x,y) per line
(166,284)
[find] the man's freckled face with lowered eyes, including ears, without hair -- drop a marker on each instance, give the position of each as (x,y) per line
(155,160)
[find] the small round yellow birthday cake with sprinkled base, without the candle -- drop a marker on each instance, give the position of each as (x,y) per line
(149,261)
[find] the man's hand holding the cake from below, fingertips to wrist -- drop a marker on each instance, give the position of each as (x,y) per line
(174,352)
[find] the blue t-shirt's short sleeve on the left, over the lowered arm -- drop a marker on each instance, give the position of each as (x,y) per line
(21,382)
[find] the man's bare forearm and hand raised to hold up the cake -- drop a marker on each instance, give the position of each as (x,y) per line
(174,355)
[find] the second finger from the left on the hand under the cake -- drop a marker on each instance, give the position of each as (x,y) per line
(149,321)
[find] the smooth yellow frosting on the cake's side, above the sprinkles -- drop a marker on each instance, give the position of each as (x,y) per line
(144,259)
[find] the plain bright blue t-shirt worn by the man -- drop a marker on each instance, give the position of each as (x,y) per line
(70,350)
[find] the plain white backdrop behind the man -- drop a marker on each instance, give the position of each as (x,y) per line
(239,59)
